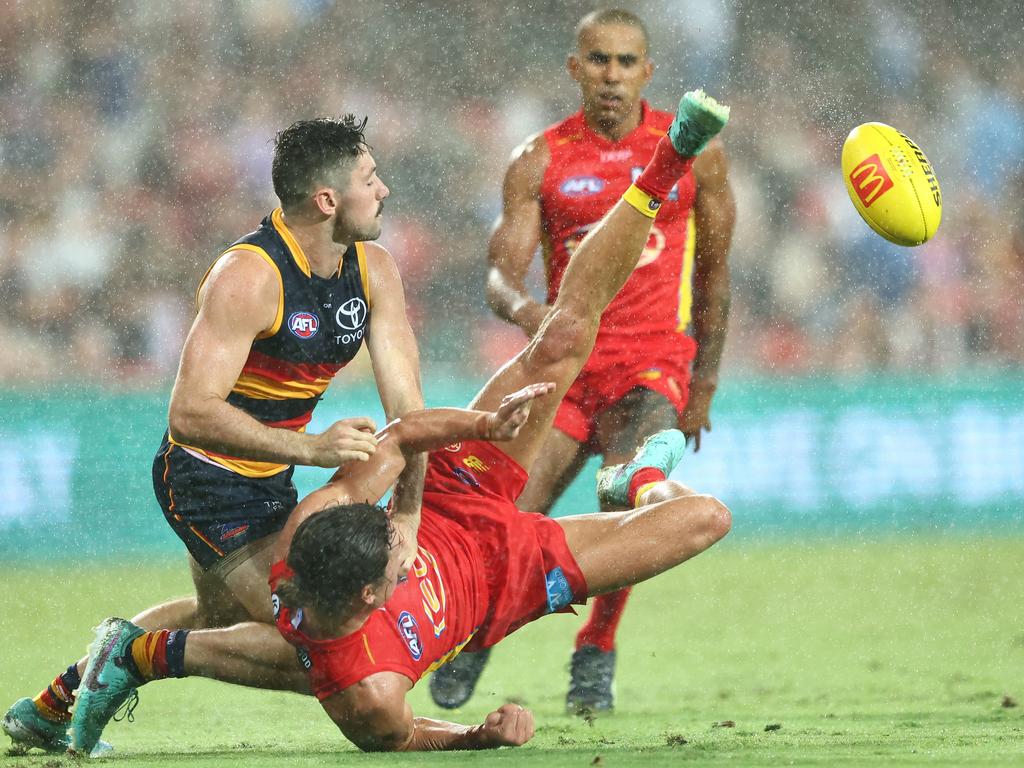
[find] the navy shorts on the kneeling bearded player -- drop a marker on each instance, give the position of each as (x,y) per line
(216,511)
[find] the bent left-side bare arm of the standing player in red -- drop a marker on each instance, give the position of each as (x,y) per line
(516,238)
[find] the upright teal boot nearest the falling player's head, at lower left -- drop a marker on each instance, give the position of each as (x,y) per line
(109,682)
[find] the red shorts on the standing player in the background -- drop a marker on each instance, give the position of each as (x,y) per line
(660,364)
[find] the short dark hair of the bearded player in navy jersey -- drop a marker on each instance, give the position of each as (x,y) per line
(309,151)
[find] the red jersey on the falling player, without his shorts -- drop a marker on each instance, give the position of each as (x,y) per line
(426,621)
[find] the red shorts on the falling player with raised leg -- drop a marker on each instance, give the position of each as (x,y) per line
(528,564)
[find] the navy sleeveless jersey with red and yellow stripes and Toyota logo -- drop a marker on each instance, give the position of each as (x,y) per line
(320,327)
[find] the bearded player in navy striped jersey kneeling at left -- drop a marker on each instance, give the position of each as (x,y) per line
(279,315)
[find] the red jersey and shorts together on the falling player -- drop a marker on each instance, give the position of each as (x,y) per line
(484,571)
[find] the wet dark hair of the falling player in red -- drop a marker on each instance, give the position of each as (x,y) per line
(335,553)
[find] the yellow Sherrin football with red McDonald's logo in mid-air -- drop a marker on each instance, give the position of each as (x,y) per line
(891,184)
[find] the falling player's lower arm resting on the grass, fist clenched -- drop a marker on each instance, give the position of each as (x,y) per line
(375,716)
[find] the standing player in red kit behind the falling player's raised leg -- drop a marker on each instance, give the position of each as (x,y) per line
(646,374)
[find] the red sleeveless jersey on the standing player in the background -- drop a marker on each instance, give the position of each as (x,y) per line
(585,179)
